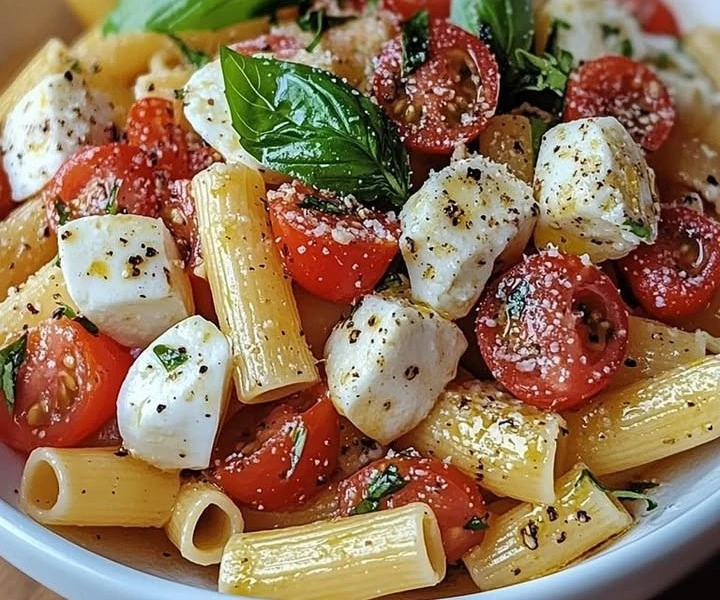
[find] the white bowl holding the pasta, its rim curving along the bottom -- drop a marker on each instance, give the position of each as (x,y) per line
(120,565)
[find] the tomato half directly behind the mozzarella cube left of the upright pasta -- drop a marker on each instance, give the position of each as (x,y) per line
(87,182)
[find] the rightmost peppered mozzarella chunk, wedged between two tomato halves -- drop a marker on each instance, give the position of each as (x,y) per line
(596,192)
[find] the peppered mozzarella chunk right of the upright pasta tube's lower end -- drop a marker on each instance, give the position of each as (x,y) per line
(388,363)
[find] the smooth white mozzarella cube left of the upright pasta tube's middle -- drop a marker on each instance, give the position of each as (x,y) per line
(124,272)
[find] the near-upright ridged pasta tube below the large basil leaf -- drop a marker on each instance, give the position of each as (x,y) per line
(253,296)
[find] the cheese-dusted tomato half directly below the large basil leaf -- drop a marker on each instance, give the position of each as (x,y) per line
(338,257)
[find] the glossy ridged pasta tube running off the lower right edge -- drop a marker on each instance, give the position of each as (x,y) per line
(648,420)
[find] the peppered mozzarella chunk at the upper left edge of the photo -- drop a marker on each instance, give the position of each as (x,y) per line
(47,126)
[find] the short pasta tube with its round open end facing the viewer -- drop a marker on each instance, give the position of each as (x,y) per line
(202,521)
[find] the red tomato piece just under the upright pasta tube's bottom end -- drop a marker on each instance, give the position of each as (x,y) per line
(292,455)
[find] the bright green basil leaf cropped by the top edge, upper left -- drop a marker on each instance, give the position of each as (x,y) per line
(171,16)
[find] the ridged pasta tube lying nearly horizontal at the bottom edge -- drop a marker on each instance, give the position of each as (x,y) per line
(355,558)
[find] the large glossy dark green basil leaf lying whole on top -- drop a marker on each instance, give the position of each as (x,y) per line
(312,126)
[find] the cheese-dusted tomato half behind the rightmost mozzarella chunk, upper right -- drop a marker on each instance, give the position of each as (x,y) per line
(620,87)
